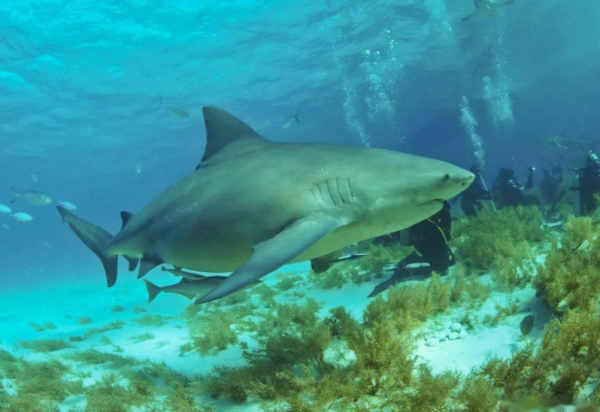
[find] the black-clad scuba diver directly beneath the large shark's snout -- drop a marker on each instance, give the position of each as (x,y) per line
(430,239)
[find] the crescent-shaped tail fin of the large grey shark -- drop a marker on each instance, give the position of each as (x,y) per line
(97,239)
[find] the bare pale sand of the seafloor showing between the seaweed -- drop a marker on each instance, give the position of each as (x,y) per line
(64,304)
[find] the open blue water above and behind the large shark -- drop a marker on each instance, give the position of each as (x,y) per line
(82,82)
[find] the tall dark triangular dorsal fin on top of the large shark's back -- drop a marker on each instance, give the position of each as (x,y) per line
(222,129)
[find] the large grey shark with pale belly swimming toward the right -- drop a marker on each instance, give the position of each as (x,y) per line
(252,206)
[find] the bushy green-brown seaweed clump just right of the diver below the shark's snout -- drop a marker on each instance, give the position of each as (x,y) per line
(494,234)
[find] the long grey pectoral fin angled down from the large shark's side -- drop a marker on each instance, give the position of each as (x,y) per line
(276,252)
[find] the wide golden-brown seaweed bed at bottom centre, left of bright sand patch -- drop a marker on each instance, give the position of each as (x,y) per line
(304,361)
